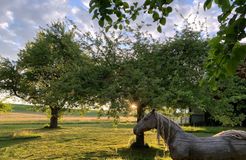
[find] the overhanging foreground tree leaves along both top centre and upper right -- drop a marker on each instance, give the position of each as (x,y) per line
(226,53)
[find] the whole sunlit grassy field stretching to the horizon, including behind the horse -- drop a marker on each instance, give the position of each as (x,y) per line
(23,136)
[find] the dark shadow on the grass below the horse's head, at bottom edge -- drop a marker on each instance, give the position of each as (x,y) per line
(127,153)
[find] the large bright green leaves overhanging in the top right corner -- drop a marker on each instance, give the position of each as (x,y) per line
(226,53)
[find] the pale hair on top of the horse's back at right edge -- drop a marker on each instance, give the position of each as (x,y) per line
(233,133)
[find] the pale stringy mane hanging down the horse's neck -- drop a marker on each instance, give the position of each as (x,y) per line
(160,126)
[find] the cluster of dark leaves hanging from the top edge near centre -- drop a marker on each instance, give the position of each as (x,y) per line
(123,12)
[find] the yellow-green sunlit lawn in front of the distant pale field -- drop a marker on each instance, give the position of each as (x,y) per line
(85,140)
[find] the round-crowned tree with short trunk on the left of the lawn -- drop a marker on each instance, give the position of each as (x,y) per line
(41,73)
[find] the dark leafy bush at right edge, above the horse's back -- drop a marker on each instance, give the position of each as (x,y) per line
(228,103)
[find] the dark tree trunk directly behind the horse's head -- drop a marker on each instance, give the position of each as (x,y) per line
(140,115)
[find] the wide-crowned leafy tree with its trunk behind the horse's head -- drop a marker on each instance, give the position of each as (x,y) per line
(147,73)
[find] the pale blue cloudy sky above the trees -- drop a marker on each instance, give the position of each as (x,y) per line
(20,20)
